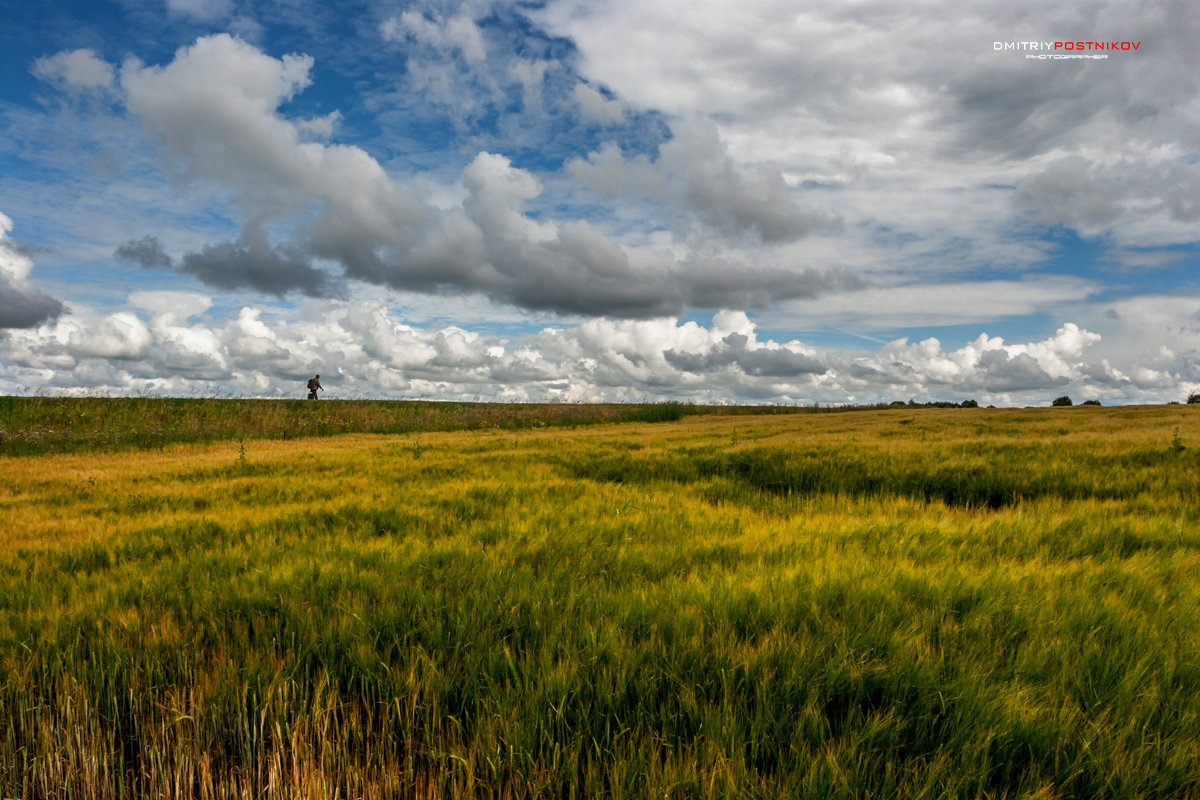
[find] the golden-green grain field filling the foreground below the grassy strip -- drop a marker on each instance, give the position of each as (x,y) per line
(890,604)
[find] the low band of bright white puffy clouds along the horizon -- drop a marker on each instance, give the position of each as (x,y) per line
(172,345)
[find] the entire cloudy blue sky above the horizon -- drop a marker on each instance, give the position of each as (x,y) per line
(584,201)
